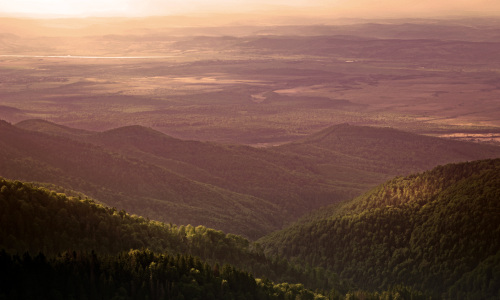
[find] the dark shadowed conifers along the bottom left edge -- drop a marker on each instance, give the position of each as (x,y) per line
(132,275)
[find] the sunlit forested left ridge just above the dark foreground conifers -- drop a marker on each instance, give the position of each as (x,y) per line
(34,219)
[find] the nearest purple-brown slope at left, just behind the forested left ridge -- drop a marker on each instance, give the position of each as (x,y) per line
(129,183)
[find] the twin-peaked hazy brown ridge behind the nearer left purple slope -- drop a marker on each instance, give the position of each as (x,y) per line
(349,158)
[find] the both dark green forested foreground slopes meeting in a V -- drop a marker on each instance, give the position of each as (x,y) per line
(412,229)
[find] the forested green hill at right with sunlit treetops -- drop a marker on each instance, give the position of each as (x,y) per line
(436,231)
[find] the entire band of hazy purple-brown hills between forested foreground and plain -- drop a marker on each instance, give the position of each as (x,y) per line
(238,189)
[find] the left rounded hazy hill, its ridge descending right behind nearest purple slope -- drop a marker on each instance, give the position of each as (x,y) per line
(271,176)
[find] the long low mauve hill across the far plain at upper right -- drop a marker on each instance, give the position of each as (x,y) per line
(365,46)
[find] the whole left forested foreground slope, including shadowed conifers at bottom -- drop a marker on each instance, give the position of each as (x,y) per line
(60,247)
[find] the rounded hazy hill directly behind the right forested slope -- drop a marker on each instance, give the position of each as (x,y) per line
(373,151)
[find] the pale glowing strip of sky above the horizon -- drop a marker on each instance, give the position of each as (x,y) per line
(346,8)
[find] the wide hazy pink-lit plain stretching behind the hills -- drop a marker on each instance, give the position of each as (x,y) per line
(256,89)
